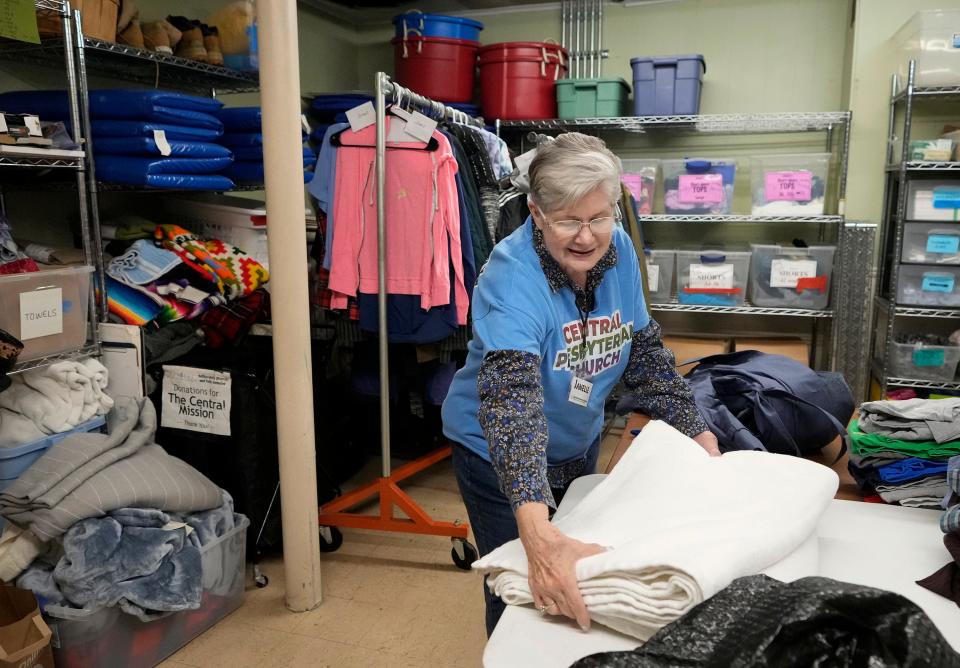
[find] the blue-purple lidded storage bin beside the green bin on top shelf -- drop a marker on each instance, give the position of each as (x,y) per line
(667,86)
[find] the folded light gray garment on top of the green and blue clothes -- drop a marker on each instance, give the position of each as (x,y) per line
(913,419)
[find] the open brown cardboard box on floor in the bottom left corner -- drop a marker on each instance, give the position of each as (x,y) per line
(24,636)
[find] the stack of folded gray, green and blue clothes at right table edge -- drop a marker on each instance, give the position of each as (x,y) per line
(901,450)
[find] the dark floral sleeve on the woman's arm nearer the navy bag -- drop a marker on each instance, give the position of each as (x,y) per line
(655,387)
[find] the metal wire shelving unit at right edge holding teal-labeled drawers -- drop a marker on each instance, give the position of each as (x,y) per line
(899,174)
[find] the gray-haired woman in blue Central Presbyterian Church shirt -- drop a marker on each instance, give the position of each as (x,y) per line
(558,320)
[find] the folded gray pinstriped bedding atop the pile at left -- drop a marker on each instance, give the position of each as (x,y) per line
(89,475)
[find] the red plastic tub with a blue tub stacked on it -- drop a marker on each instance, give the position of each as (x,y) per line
(437,67)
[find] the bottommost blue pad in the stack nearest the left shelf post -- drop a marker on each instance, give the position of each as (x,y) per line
(186,173)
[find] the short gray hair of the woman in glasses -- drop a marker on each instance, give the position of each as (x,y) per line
(570,167)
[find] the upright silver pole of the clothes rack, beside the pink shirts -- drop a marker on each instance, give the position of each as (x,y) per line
(381,155)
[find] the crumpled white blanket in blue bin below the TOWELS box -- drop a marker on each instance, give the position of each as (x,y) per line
(61,396)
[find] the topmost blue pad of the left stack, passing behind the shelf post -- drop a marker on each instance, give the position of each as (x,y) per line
(157,106)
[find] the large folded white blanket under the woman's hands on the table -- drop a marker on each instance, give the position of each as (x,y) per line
(679,526)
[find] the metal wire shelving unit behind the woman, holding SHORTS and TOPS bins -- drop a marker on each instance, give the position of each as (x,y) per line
(853,264)
